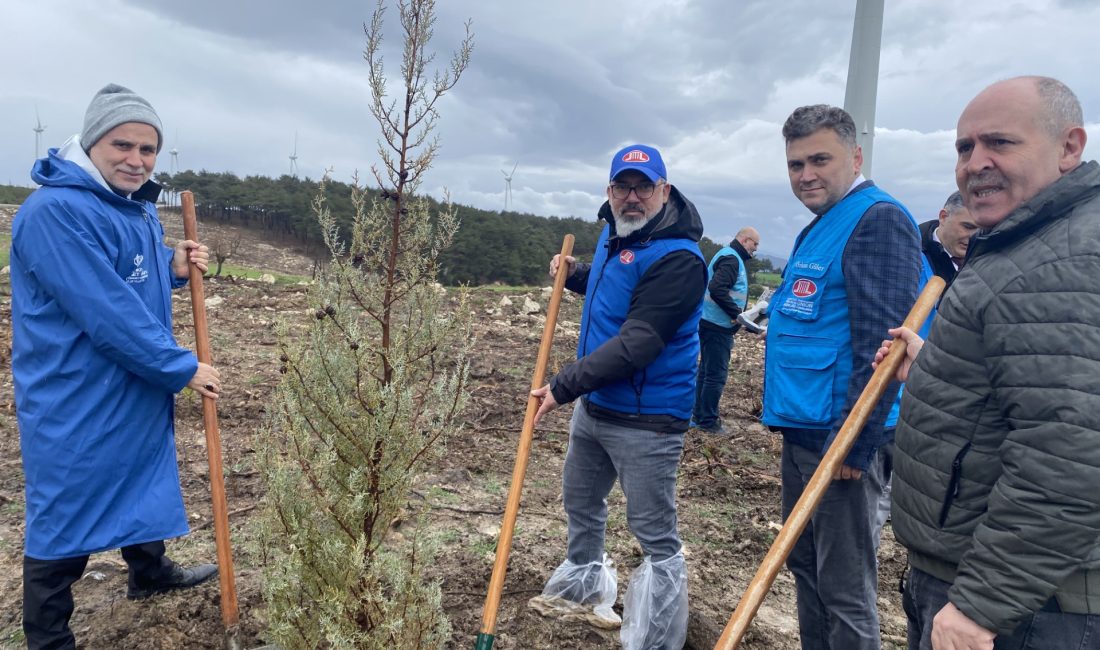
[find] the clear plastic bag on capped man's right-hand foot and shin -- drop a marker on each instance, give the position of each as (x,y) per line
(655,609)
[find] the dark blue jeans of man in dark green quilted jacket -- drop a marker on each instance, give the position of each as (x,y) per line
(1047,630)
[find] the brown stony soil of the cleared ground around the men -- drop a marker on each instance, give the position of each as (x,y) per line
(729,490)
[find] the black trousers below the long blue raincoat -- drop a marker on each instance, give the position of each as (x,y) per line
(48,592)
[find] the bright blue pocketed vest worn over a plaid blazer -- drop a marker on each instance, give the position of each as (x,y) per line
(809,351)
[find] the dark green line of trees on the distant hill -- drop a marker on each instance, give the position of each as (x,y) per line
(490,247)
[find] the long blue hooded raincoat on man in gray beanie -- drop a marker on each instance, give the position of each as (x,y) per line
(96,367)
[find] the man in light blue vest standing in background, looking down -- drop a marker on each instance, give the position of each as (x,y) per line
(728,294)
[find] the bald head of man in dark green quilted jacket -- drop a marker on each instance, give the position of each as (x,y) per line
(1015,139)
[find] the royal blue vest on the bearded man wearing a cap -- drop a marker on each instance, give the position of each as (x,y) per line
(666,387)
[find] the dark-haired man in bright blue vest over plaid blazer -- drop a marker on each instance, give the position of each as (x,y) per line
(854,274)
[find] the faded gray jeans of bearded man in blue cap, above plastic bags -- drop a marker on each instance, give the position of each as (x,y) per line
(645,464)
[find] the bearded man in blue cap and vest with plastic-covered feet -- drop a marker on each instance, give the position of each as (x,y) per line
(635,381)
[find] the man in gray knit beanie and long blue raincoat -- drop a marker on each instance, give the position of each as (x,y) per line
(96,366)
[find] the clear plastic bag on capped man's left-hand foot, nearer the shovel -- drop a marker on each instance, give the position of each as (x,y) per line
(591,589)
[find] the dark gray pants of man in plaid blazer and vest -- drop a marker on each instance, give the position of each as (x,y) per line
(834,561)
